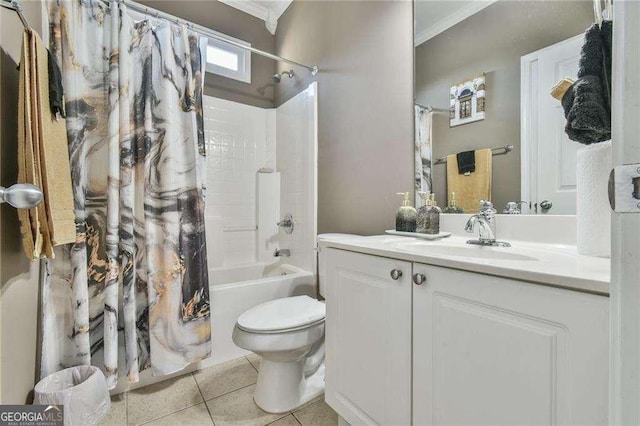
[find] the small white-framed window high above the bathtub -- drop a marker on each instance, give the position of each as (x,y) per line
(228,60)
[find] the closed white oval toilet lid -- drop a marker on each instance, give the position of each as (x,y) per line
(282,314)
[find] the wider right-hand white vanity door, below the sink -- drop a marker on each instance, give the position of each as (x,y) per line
(495,351)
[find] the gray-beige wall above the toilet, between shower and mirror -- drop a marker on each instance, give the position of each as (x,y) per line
(365,52)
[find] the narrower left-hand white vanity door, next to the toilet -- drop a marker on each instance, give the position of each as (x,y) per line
(368,338)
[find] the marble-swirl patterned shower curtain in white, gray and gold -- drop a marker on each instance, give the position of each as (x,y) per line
(132,292)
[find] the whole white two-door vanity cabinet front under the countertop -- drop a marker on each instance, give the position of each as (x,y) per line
(460,348)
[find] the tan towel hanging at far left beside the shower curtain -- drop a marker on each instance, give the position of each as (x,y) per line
(43,156)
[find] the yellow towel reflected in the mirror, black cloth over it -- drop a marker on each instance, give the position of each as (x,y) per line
(474,187)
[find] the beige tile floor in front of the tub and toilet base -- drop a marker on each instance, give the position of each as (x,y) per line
(221,395)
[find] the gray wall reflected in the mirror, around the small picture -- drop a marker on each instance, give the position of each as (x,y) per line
(492,41)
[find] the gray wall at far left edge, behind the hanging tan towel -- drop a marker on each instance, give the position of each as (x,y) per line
(18,277)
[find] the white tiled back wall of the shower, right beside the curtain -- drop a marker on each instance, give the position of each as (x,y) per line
(240,140)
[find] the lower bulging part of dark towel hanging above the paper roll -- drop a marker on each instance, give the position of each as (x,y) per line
(584,108)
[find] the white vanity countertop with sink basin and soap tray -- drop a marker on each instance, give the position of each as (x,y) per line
(542,263)
